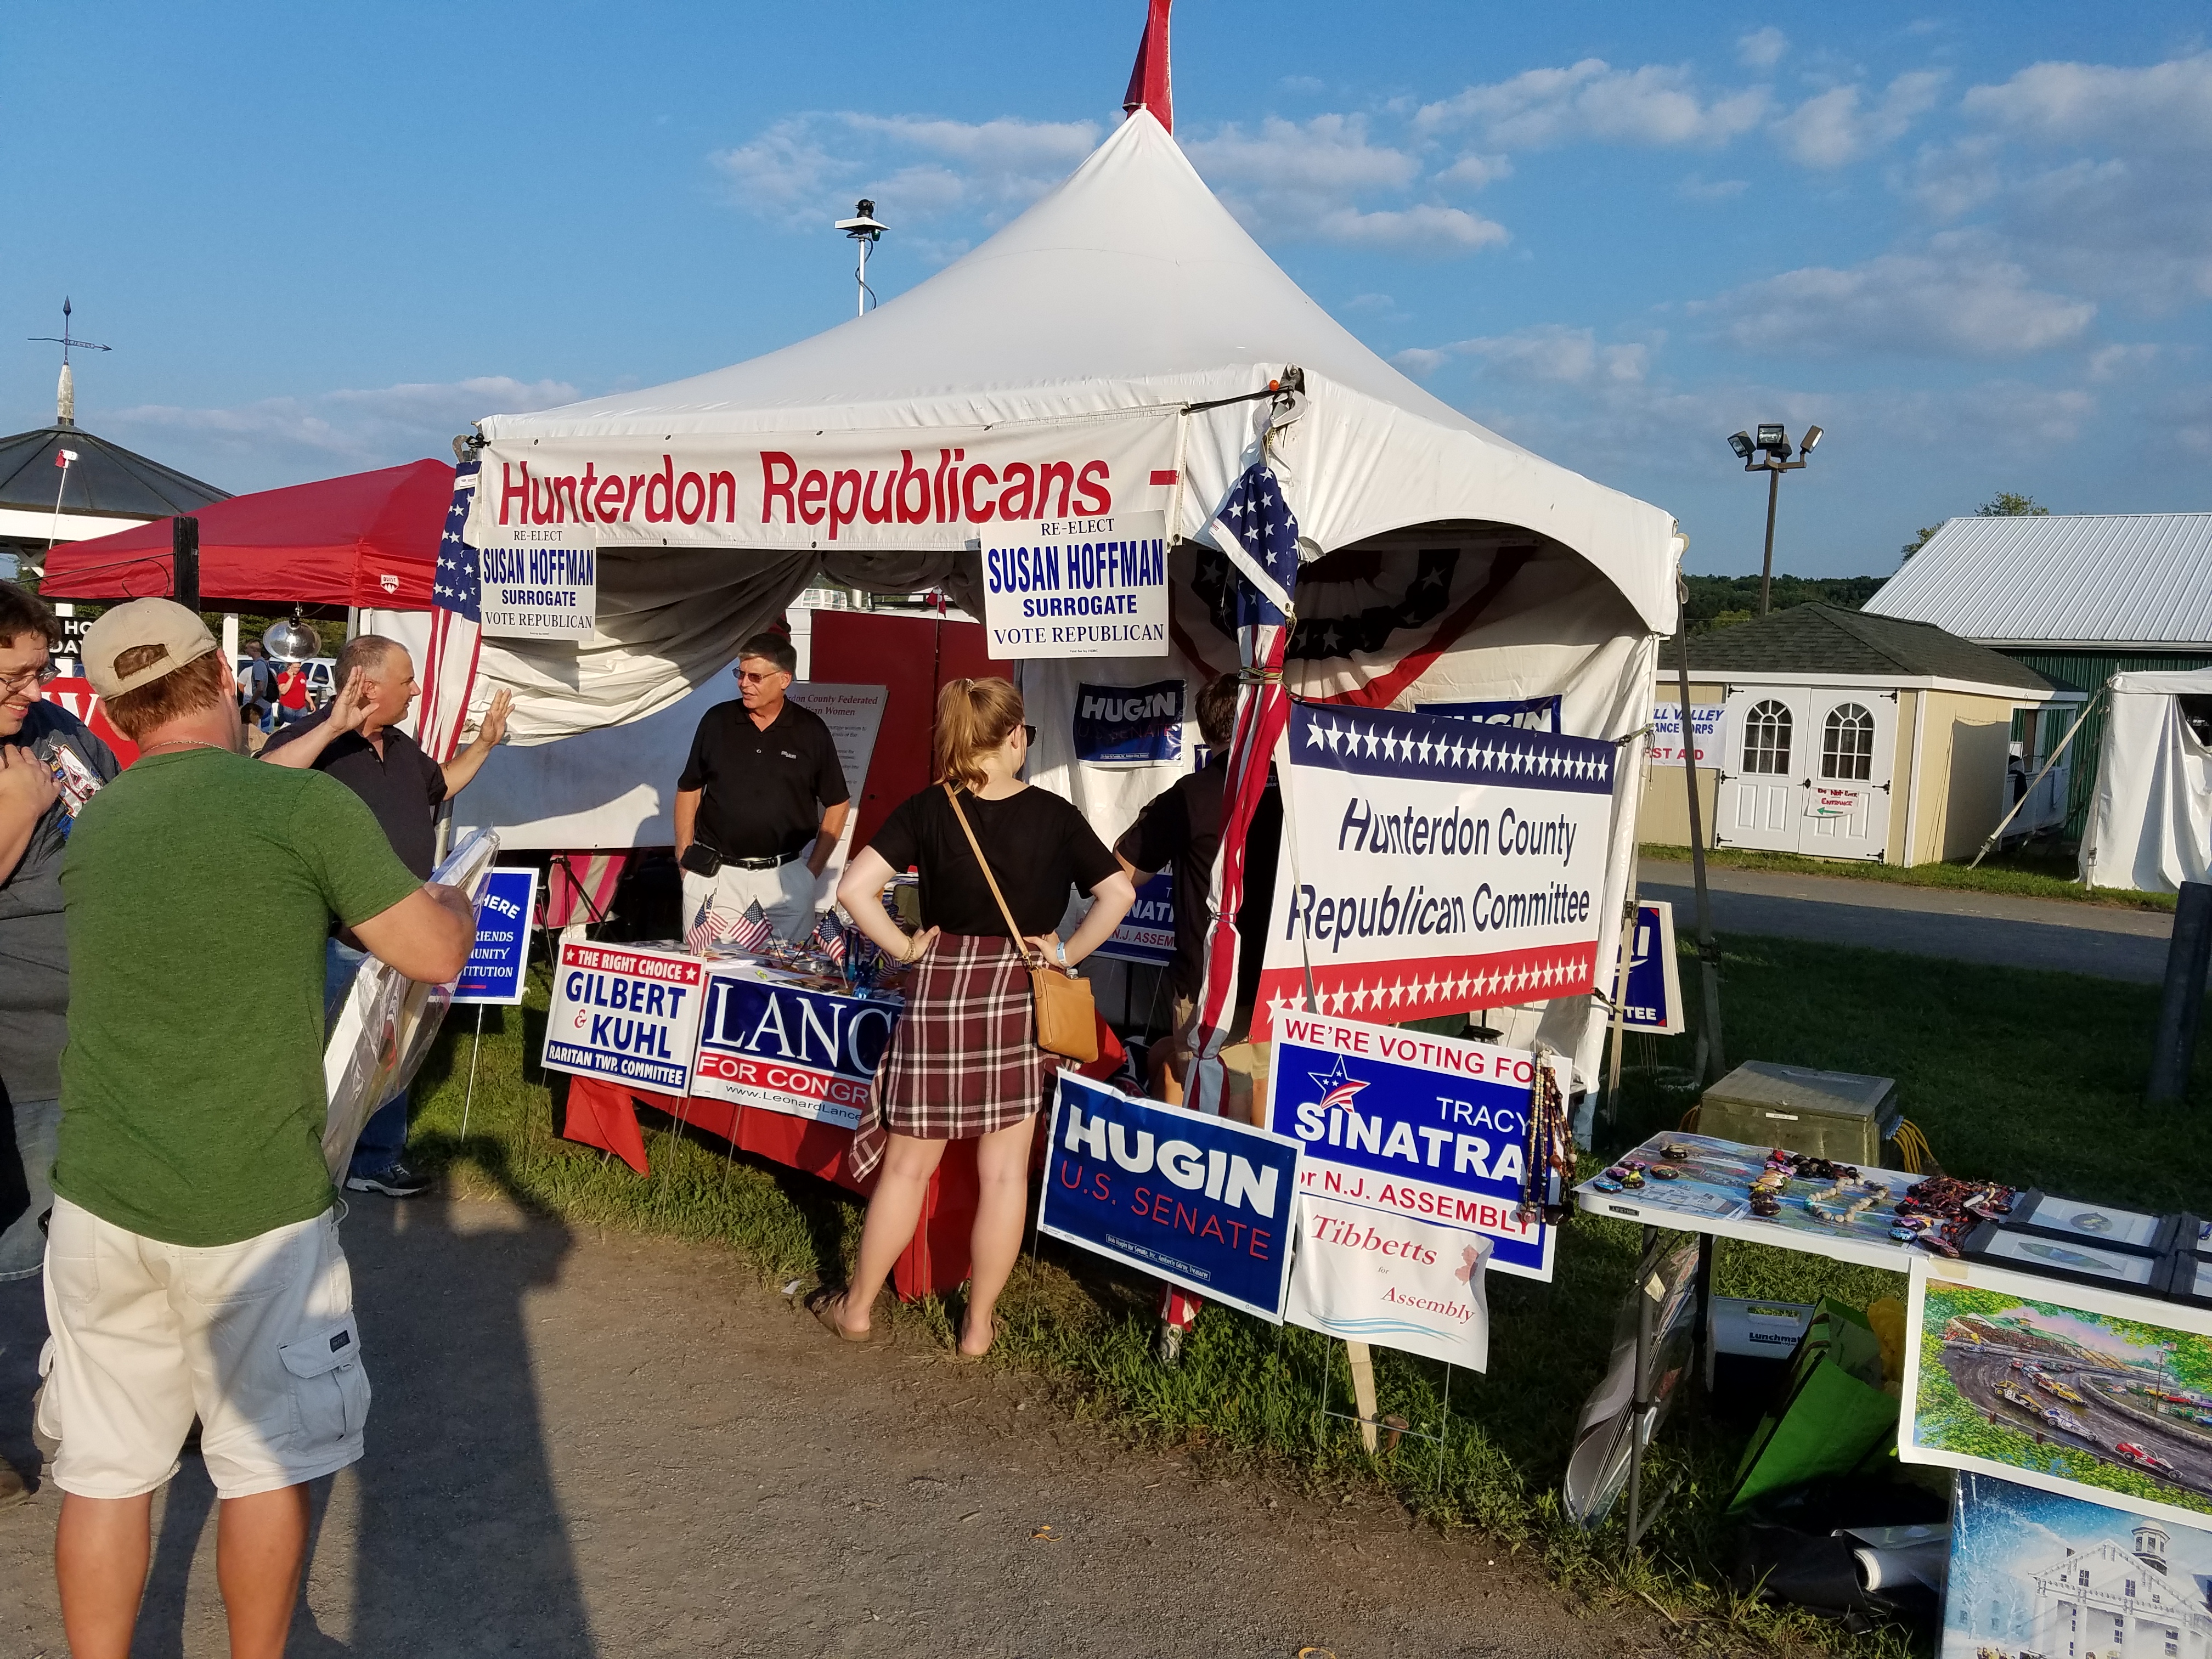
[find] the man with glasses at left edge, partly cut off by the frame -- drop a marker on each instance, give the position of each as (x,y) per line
(34,954)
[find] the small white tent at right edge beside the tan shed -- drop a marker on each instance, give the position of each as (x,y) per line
(2151,820)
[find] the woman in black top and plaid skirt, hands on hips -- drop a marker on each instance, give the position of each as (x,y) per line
(966,1063)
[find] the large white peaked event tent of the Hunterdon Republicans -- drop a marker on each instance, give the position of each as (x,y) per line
(1076,351)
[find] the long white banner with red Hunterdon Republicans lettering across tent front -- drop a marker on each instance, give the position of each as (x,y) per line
(833,490)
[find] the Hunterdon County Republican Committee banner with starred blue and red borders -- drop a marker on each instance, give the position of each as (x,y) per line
(1434,866)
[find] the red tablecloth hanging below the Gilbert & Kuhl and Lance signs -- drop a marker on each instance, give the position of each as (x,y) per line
(605,1116)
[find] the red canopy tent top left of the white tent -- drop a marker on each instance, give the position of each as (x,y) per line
(359,541)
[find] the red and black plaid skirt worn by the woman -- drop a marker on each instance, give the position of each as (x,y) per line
(966,1054)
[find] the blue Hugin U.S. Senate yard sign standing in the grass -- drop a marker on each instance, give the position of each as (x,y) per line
(1202,1202)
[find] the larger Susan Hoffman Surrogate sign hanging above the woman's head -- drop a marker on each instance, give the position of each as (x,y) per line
(1078,587)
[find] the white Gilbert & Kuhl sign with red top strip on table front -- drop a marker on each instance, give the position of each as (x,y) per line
(623,1014)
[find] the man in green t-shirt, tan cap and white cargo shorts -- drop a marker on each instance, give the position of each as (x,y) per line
(194,1262)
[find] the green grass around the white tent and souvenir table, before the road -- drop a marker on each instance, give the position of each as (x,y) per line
(2023,1076)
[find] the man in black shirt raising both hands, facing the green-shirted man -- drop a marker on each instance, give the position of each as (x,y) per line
(357,740)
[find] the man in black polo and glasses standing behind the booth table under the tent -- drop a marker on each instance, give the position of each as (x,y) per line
(762,800)
